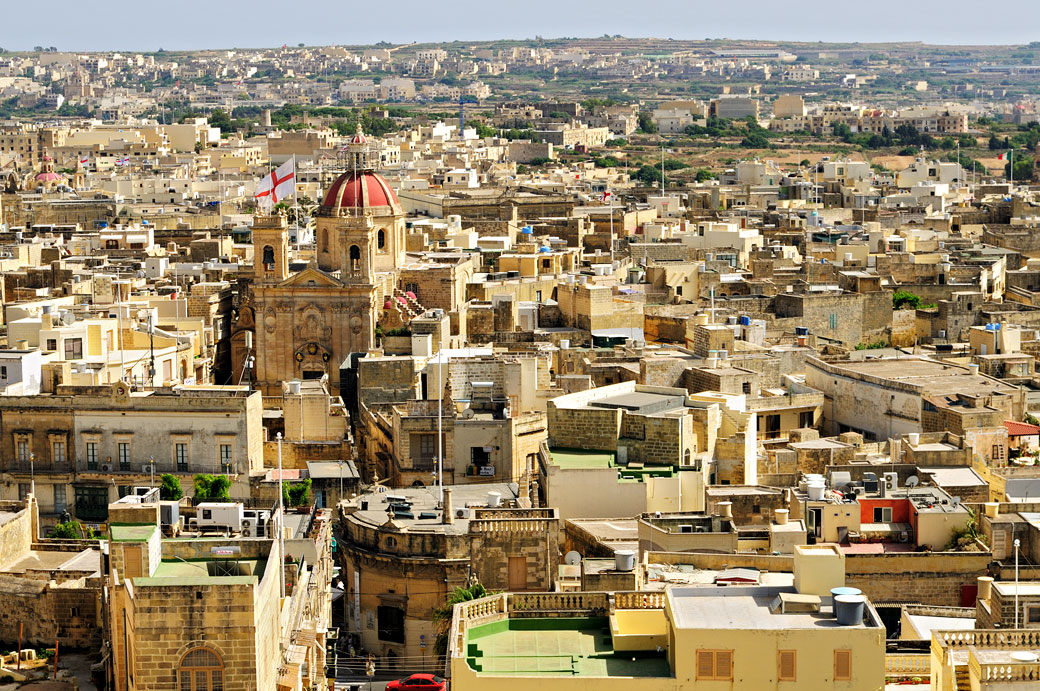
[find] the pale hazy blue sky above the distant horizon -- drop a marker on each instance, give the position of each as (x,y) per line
(187,24)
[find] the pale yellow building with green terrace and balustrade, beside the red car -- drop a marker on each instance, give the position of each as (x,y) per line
(698,637)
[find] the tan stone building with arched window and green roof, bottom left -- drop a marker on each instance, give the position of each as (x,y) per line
(212,613)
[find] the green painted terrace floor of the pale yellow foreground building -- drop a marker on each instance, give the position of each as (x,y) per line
(556,648)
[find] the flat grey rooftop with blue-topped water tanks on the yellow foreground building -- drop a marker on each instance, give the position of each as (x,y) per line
(749,608)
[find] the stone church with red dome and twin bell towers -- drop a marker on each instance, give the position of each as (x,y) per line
(306,324)
